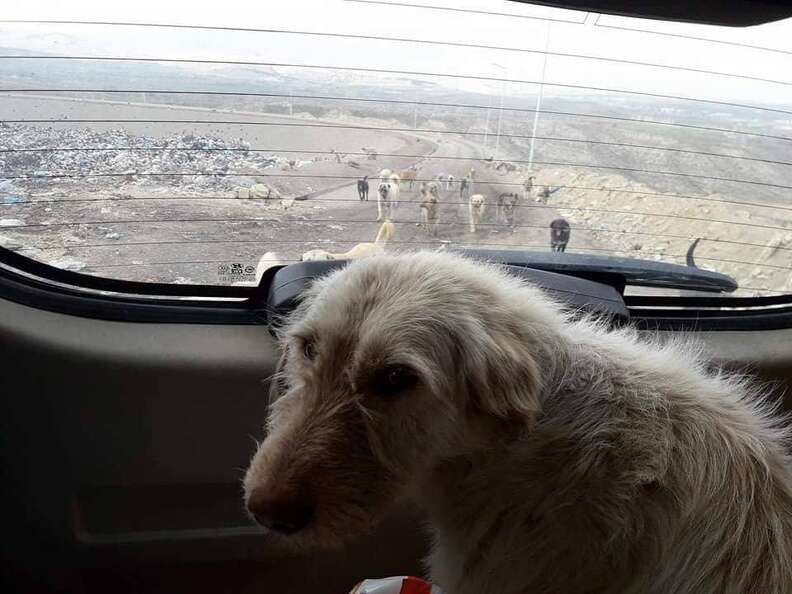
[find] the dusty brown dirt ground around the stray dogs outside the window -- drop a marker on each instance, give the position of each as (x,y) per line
(177,230)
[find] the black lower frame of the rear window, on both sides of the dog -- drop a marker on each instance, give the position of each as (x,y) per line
(36,284)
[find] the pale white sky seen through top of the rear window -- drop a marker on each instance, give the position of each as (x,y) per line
(578,36)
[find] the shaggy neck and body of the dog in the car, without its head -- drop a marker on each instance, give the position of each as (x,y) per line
(598,492)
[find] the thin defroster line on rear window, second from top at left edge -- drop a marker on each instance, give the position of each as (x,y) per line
(397,72)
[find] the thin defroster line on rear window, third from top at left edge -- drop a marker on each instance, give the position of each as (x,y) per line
(407,102)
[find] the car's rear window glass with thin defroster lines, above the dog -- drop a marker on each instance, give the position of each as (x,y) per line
(185,143)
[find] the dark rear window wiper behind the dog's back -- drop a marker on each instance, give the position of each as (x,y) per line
(617,272)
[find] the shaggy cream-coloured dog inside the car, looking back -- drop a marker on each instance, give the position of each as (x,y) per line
(552,455)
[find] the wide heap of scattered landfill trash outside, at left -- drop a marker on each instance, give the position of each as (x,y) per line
(37,154)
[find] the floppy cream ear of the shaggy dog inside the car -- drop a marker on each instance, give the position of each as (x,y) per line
(503,377)
